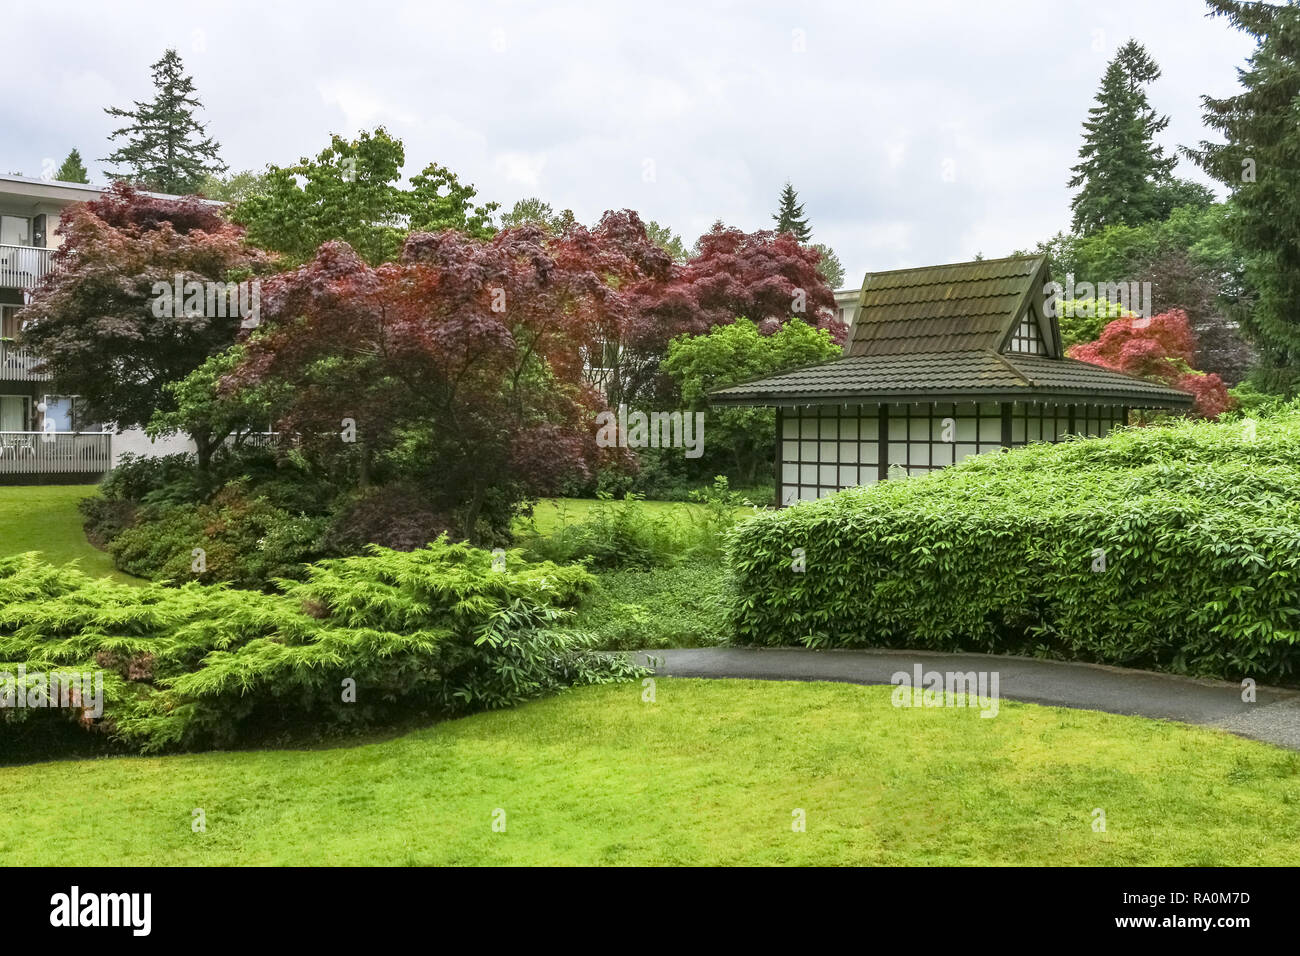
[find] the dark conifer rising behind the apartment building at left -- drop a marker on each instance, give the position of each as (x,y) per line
(166,149)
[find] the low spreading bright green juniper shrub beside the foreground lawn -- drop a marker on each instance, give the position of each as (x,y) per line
(439,631)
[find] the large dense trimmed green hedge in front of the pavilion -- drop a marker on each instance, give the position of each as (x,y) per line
(1197,526)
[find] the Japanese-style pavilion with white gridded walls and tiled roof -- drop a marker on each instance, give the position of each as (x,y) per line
(943,364)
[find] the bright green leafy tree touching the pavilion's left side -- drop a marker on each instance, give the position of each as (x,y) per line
(740,440)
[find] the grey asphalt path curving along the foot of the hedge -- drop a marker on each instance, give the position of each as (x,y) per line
(1275,717)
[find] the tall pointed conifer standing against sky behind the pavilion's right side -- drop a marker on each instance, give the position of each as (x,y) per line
(1121,168)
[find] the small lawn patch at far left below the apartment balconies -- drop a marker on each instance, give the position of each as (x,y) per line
(45,518)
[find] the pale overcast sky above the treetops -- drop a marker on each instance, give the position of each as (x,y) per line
(915,132)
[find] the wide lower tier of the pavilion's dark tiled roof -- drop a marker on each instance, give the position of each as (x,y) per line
(954,377)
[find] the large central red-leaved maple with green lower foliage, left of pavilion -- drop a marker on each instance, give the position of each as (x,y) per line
(458,369)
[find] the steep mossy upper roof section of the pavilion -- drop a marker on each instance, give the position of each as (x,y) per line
(941,309)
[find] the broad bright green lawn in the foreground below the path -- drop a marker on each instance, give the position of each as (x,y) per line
(712,773)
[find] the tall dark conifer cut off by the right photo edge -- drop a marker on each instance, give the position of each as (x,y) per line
(1259,165)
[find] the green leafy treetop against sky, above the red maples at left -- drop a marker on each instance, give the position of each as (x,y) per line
(350,193)
